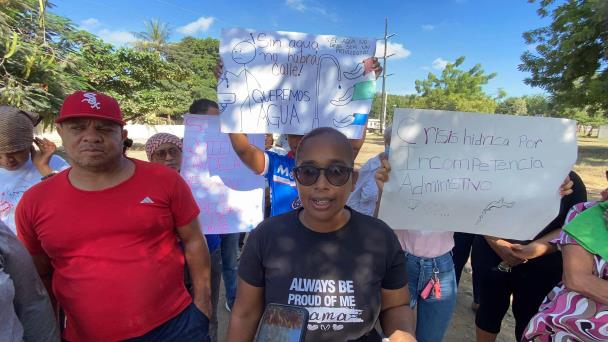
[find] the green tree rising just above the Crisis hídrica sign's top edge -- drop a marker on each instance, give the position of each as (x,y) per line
(456,89)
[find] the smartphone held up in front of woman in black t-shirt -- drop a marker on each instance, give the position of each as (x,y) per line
(282,323)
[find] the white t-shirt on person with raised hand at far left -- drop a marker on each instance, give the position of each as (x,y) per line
(14,183)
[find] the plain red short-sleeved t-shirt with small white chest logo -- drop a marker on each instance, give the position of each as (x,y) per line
(118,267)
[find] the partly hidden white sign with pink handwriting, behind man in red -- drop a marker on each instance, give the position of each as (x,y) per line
(229,195)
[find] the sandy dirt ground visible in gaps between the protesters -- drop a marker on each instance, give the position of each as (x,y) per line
(591,166)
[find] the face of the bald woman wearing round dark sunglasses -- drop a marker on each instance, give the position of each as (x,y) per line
(323,201)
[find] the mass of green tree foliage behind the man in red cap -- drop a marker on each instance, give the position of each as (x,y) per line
(43,58)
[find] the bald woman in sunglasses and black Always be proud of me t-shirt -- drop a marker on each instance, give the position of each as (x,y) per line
(347,269)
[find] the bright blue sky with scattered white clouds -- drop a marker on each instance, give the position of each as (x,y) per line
(429,33)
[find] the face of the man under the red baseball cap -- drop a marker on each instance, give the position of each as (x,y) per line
(92,144)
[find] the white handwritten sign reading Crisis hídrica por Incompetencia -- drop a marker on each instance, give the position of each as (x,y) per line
(478,173)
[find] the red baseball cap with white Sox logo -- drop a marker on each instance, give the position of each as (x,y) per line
(89,104)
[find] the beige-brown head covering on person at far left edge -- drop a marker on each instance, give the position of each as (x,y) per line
(16,129)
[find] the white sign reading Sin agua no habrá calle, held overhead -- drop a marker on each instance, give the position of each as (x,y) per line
(287,82)
